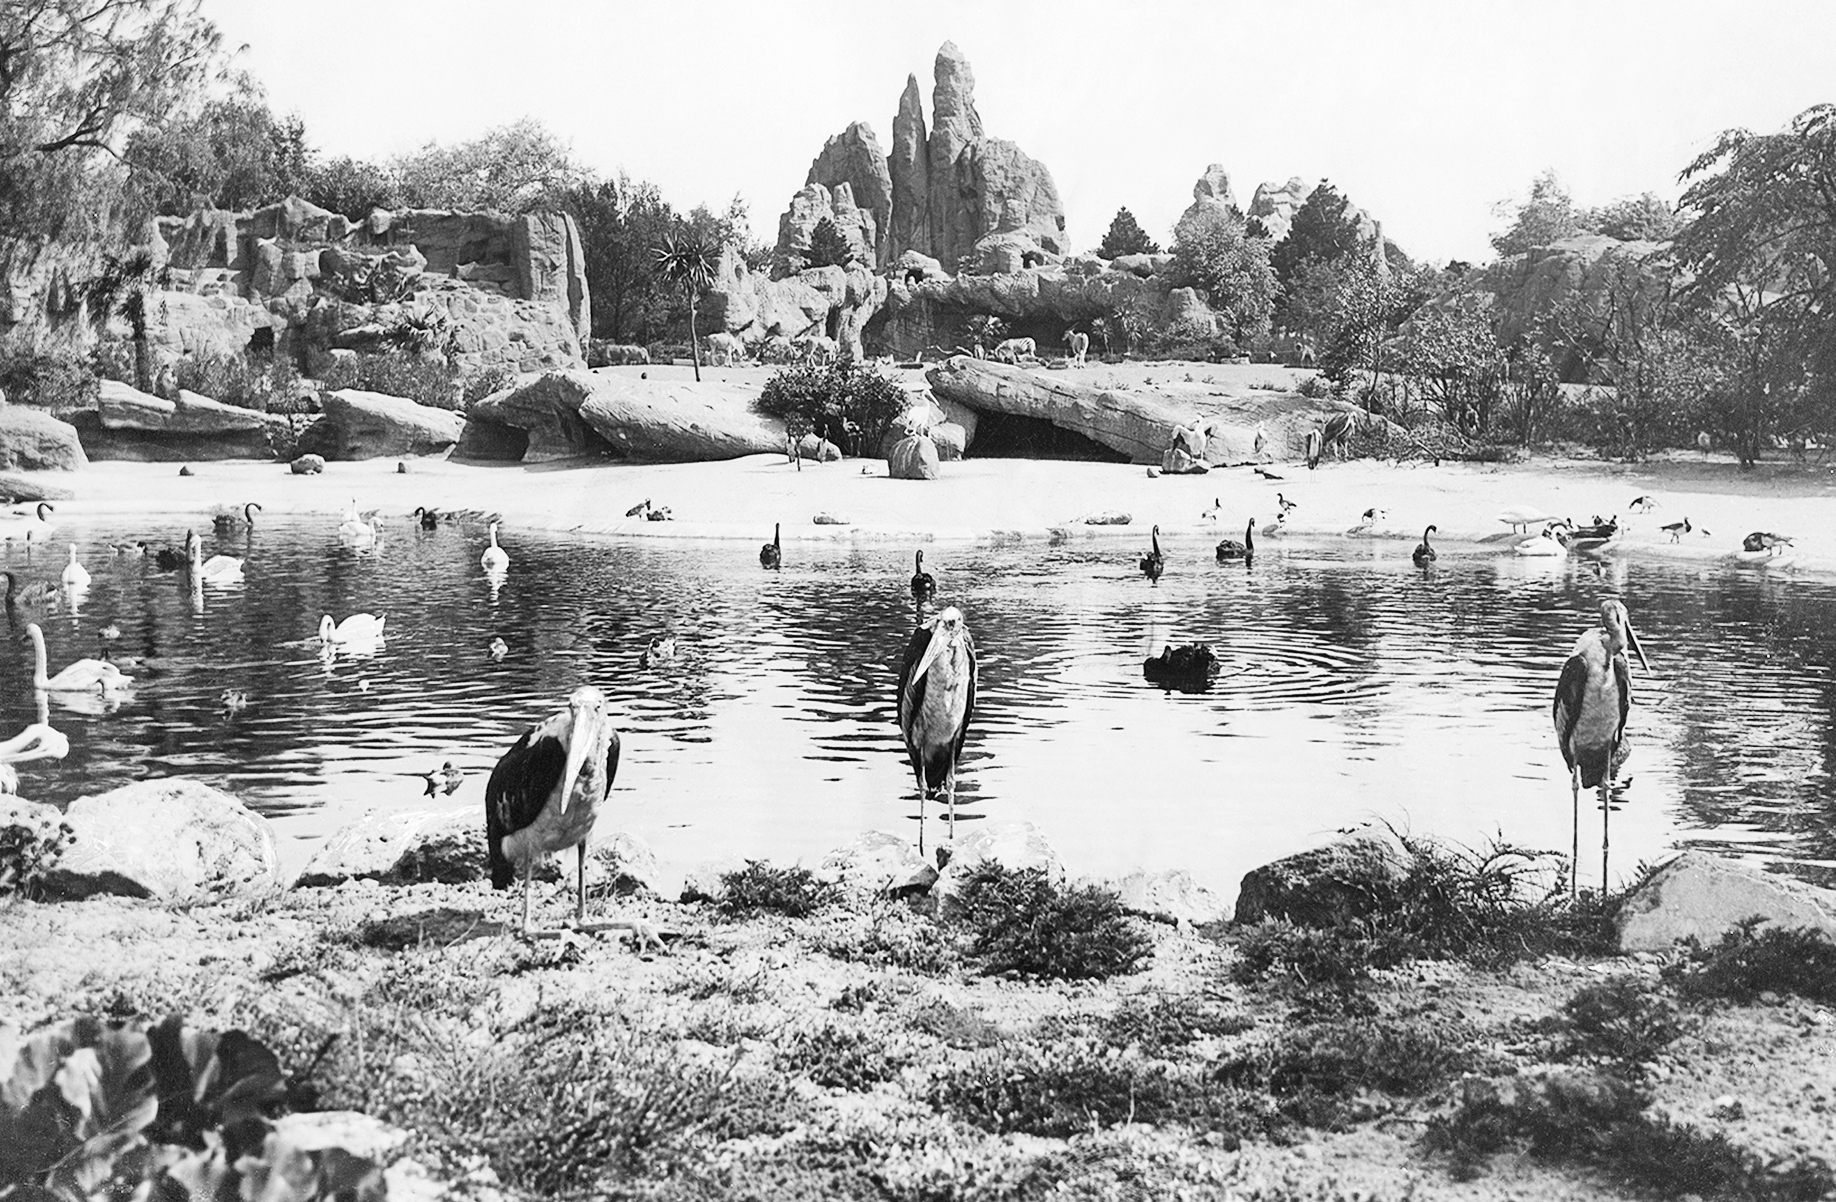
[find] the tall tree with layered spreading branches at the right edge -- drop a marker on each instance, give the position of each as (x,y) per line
(1760,260)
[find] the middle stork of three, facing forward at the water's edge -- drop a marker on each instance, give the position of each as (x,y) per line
(937,700)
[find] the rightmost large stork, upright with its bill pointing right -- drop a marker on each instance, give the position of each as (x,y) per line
(1593,700)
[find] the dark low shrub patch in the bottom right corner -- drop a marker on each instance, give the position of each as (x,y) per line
(1602,1122)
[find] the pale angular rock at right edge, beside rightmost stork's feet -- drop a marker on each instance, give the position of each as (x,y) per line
(1701,896)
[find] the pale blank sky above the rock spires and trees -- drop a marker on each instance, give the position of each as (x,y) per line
(1427,115)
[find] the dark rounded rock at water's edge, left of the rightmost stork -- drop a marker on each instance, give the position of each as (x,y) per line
(1325,887)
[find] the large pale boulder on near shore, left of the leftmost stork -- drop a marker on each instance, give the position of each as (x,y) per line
(166,840)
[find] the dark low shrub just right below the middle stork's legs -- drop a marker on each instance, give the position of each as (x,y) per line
(1022,922)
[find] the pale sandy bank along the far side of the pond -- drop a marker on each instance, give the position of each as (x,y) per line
(1007,498)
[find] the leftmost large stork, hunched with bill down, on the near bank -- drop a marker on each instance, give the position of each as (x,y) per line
(544,797)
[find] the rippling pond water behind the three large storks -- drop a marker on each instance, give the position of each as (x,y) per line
(1354,687)
